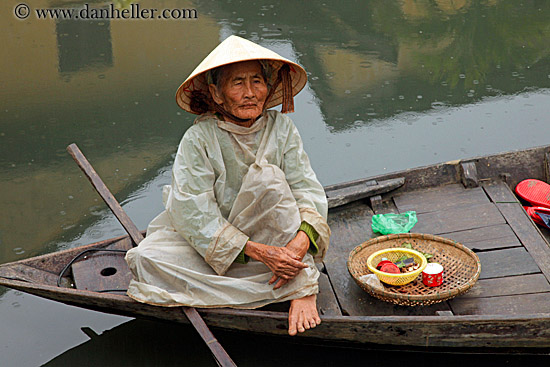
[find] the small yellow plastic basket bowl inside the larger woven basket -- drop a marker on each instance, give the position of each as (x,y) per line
(393,254)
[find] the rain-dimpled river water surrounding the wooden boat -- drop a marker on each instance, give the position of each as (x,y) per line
(393,84)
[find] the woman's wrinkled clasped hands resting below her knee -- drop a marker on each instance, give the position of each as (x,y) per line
(282,261)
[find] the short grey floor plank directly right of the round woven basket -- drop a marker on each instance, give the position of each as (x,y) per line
(507,262)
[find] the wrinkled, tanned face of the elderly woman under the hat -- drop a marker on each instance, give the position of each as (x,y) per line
(242,90)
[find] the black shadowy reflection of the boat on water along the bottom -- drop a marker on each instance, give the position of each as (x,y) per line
(113,348)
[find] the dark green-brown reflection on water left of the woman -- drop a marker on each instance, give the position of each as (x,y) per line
(108,86)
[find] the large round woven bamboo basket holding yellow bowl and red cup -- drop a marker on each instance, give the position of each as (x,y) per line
(461,269)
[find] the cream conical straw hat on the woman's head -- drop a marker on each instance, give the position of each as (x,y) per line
(236,49)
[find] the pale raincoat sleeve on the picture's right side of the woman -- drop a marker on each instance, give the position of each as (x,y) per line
(306,188)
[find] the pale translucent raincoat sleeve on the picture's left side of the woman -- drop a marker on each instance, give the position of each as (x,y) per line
(193,209)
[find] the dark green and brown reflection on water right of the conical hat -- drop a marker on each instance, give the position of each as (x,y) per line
(375,59)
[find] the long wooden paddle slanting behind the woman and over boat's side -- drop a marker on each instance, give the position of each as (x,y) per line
(221,356)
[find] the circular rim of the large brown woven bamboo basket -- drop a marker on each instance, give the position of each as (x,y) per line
(438,296)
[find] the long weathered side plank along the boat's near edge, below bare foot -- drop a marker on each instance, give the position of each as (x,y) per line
(423,331)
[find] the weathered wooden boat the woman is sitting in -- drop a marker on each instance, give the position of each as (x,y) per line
(469,201)
